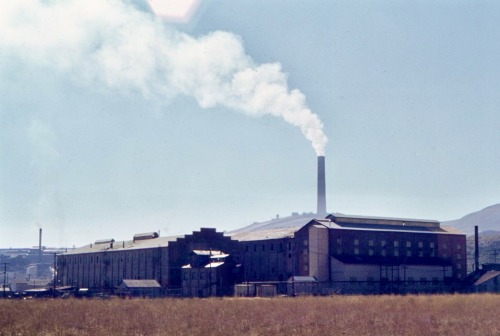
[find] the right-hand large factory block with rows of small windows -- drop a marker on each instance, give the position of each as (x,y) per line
(358,254)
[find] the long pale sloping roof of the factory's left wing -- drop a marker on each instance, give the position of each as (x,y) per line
(124,245)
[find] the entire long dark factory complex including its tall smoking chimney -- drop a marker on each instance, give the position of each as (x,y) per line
(329,253)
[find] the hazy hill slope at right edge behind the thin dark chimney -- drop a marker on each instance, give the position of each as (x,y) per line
(487,219)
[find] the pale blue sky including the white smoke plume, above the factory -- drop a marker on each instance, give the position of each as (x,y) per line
(116,121)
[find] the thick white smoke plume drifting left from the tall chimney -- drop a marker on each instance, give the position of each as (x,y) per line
(112,44)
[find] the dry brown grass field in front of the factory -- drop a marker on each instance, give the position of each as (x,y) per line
(336,315)
